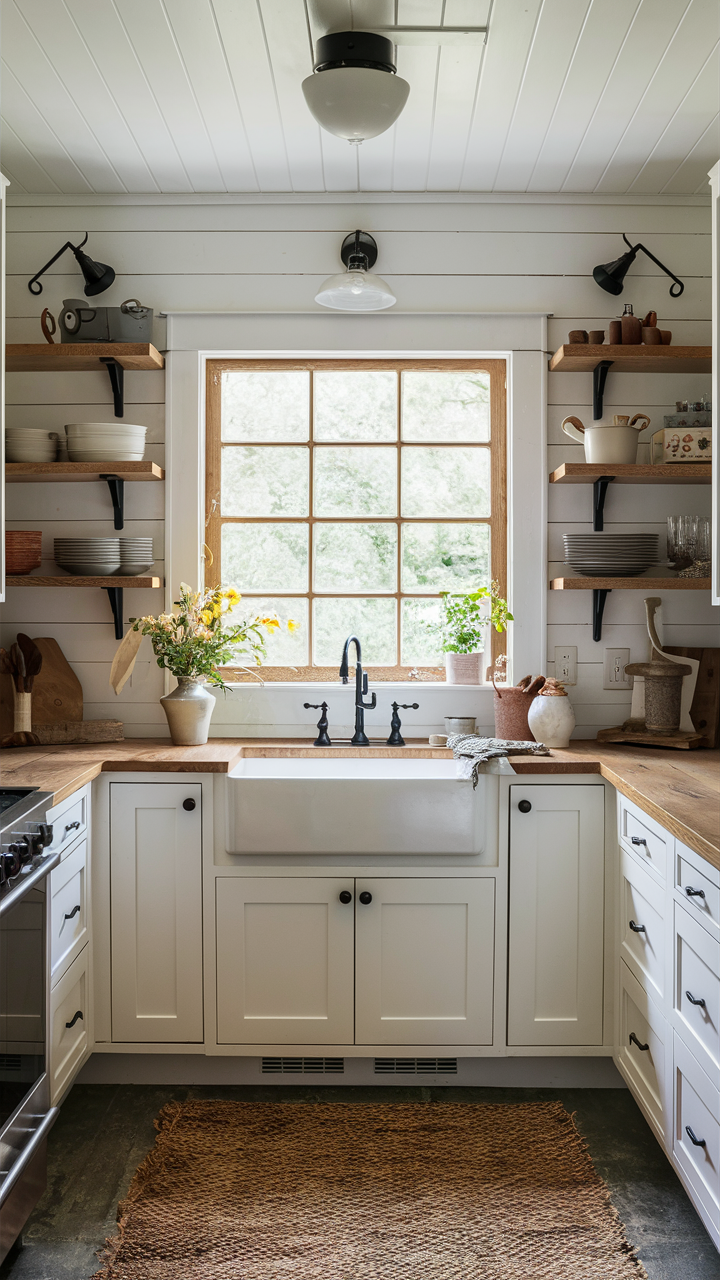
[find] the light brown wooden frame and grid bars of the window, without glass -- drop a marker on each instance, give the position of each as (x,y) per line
(498,520)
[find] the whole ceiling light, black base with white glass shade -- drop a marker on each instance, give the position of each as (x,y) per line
(354,92)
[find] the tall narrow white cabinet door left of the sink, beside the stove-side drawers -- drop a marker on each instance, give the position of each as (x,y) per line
(157,912)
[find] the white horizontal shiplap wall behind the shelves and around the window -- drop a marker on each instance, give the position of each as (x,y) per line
(257,254)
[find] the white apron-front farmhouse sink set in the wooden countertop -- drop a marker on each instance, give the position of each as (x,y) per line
(340,806)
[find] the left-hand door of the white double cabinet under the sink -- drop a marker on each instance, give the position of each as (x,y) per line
(285,961)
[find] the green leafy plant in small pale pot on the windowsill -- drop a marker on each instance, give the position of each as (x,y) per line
(462,630)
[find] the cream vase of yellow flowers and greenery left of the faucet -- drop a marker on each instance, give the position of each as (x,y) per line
(193,644)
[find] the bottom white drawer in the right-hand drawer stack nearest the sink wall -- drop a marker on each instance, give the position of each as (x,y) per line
(642,1049)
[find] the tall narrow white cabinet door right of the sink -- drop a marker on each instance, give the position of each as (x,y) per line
(557,916)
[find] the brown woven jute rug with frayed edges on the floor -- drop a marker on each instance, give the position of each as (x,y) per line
(244,1191)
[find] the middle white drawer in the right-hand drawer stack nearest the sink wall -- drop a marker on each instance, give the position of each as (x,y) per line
(642,927)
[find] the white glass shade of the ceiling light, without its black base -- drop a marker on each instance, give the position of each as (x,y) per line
(356,103)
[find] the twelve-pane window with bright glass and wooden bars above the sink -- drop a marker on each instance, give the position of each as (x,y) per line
(349,495)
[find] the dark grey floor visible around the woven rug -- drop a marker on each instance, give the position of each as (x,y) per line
(106,1131)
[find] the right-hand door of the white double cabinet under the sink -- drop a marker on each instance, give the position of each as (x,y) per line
(425,962)
